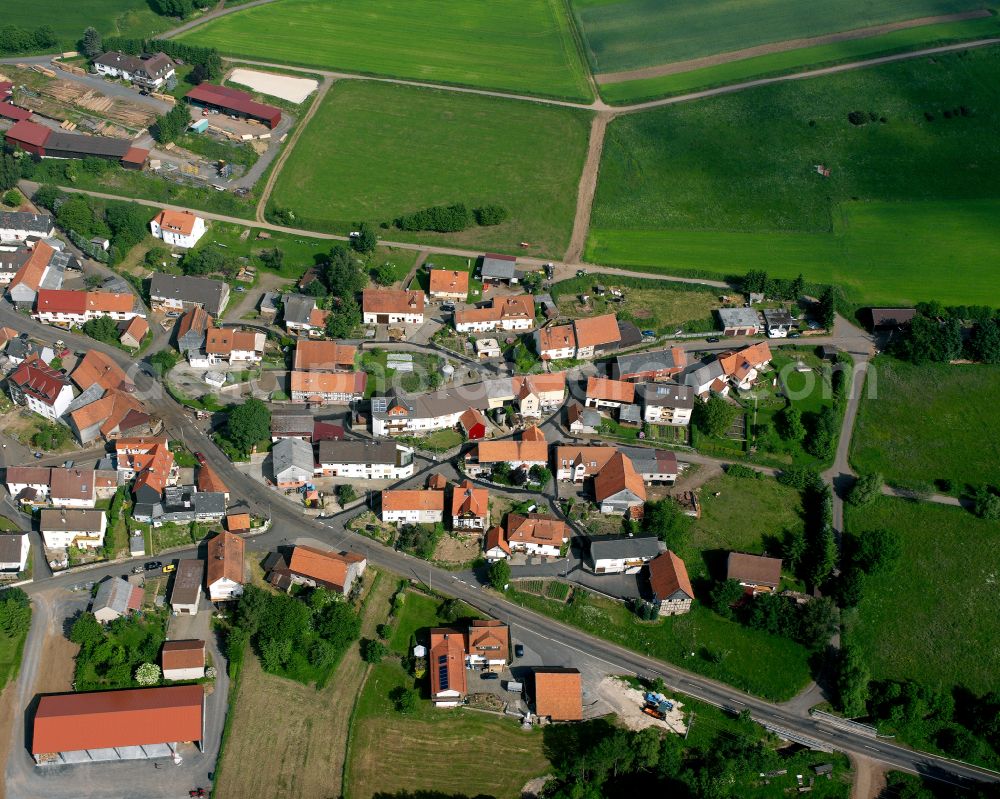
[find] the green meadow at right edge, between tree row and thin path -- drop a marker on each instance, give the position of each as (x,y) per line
(928,423)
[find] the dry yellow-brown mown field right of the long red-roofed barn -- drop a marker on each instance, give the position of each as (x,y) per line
(288,739)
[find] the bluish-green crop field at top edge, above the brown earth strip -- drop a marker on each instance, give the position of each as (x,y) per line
(630,34)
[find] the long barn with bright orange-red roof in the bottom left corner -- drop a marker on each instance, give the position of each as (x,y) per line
(135,724)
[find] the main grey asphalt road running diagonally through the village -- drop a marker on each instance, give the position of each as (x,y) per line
(288,522)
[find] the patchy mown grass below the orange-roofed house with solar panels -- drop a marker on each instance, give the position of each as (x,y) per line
(436,750)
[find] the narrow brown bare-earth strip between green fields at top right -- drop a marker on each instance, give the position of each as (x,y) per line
(692,64)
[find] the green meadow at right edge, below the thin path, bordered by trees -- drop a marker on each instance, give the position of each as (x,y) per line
(929,619)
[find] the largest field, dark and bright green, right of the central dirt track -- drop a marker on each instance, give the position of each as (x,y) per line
(729,183)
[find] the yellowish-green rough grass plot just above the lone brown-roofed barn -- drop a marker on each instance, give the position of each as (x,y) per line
(766,510)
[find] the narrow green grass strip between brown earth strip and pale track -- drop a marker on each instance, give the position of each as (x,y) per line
(637,91)
